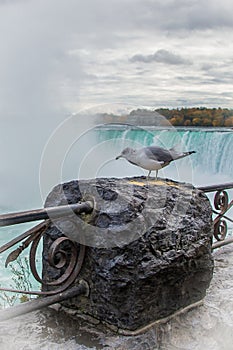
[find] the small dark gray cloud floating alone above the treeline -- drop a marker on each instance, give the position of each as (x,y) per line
(161,56)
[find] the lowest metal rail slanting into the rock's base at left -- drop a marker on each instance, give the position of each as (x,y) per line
(39,303)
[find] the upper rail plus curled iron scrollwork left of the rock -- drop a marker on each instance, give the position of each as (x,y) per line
(63,253)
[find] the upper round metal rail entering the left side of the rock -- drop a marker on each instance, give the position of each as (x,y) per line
(45,213)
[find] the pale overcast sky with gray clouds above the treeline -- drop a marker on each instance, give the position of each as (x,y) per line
(57,56)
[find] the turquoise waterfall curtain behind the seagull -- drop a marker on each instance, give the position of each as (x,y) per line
(209,165)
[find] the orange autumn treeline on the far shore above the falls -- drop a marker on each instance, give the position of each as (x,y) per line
(198,116)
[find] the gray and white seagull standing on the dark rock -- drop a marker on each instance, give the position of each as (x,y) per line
(152,157)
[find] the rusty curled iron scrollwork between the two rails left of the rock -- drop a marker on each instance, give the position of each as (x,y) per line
(64,255)
